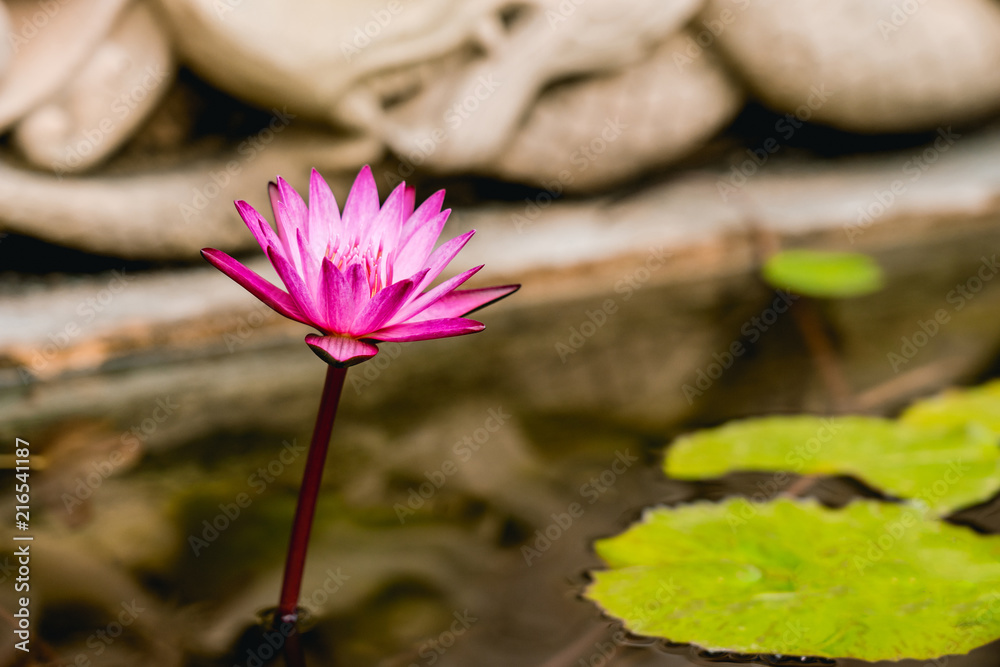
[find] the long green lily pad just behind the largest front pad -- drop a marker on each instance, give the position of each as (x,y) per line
(941,469)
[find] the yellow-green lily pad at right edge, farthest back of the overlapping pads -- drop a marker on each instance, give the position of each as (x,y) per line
(958,407)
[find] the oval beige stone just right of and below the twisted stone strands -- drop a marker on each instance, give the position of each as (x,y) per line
(604,130)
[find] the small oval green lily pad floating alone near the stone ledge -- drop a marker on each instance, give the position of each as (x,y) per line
(823,274)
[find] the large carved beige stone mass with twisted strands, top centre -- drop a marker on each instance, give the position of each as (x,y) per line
(451,90)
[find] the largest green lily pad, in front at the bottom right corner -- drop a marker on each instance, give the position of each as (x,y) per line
(871,581)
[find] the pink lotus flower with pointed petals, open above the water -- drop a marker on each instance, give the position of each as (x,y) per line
(362,277)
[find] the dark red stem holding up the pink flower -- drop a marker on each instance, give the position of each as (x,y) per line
(291,585)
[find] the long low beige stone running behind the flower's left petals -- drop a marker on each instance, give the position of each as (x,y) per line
(174,211)
